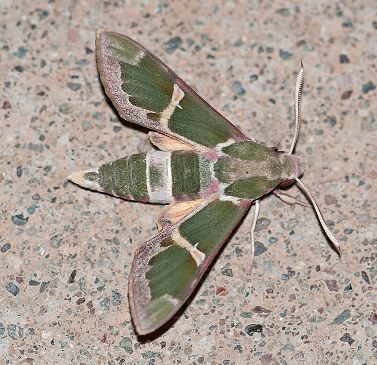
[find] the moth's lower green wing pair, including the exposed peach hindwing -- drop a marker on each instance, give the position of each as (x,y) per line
(168,267)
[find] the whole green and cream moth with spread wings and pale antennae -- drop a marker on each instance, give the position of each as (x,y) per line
(206,169)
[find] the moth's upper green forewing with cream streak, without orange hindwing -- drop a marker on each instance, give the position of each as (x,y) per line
(145,91)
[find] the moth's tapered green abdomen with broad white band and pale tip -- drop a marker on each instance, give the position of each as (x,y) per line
(156,177)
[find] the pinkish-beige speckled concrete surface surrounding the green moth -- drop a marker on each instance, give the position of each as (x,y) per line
(66,252)
